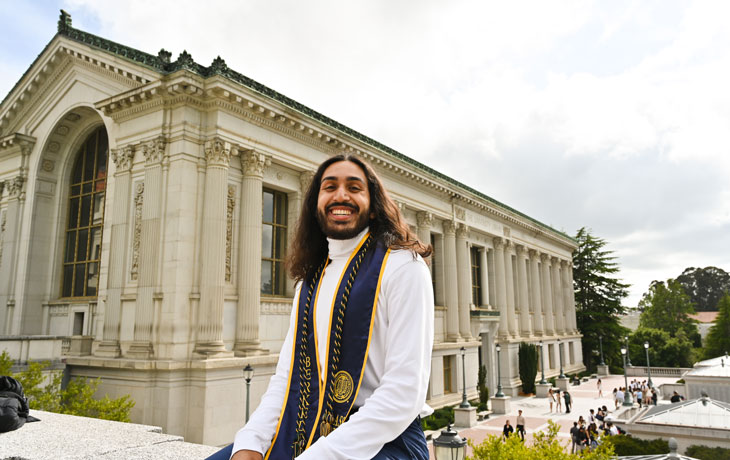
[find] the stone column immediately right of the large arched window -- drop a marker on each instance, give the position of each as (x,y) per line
(123,159)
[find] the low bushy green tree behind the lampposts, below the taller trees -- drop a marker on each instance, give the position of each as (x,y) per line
(664,350)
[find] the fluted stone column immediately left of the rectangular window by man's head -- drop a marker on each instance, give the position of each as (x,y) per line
(249,276)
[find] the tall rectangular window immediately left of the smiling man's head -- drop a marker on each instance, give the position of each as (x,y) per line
(273,243)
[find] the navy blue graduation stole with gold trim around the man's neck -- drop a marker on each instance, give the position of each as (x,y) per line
(312,409)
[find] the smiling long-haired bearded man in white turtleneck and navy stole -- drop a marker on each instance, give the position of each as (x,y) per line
(353,370)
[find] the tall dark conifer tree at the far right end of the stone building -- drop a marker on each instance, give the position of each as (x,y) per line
(598,296)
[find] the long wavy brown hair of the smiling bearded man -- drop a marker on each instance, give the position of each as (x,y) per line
(309,247)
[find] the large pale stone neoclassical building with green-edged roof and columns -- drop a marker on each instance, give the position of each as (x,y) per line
(145,209)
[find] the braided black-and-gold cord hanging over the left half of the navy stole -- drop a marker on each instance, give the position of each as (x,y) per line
(305,371)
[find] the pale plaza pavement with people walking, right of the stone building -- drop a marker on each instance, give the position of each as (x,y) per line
(537,410)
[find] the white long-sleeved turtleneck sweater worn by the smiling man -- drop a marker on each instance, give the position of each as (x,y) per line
(395,379)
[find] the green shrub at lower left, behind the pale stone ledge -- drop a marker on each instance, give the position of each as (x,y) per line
(76,399)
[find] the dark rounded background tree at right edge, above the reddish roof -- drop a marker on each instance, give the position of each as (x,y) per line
(705,286)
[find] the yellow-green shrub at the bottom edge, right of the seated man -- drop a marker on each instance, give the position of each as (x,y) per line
(545,446)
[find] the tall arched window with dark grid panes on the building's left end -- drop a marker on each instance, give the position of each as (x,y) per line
(85,218)
